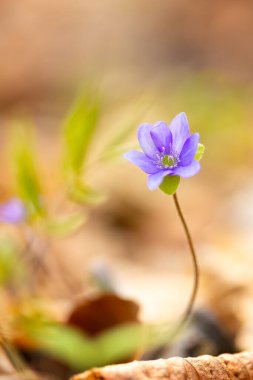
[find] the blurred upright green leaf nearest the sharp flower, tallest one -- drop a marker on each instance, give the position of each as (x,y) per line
(79,130)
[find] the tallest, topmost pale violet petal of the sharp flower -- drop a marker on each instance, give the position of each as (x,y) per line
(180,131)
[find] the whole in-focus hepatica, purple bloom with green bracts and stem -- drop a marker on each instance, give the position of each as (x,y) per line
(169,153)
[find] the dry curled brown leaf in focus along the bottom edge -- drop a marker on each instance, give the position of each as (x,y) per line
(206,367)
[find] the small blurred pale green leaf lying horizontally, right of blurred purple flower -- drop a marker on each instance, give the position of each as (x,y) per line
(66,225)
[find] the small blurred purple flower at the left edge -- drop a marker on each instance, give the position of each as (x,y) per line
(12,211)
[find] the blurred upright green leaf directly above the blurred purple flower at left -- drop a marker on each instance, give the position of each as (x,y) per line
(27,177)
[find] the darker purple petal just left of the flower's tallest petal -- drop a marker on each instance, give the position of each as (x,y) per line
(162,137)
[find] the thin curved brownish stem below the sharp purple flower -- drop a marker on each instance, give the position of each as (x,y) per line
(189,308)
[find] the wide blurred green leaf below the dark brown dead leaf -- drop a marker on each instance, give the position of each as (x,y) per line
(77,349)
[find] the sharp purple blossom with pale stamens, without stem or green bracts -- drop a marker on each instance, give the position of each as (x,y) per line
(167,150)
